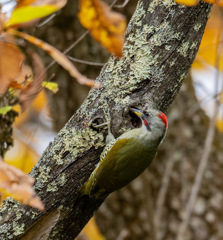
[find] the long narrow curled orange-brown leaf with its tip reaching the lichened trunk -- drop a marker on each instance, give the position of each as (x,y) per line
(58,57)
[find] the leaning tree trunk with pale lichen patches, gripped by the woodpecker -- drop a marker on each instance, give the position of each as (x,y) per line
(162,40)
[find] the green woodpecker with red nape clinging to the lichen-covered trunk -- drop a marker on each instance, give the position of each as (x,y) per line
(125,158)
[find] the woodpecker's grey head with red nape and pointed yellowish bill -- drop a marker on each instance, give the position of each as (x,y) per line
(152,119)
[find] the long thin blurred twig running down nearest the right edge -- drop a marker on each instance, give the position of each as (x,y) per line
(204,158)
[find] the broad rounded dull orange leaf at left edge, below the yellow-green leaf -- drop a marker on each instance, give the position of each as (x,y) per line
(11,60)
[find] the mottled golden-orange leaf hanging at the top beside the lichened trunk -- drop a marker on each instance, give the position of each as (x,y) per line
(105,25)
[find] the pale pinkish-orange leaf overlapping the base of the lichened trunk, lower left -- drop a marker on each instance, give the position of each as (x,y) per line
(18,185)
